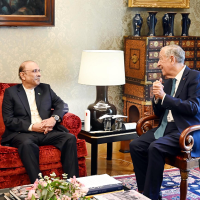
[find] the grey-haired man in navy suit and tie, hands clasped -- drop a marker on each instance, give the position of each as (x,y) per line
(176,101)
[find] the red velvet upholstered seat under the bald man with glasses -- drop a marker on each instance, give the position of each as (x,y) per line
(12,172)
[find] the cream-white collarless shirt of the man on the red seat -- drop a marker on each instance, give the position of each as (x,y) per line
(35,117)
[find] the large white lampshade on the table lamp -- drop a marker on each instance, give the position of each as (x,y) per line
(102,68)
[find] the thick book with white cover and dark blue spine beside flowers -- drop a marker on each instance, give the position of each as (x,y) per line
(100,184)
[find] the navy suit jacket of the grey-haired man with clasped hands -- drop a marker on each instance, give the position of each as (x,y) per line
(185,106)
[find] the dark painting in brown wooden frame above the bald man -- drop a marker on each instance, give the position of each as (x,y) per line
(27,12)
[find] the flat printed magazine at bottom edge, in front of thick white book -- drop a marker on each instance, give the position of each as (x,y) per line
(121,195)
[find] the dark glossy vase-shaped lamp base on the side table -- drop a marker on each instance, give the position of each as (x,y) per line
(99,108)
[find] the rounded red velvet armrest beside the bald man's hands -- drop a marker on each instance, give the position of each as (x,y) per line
(73,123)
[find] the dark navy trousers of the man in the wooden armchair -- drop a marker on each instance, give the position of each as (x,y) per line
(148,156)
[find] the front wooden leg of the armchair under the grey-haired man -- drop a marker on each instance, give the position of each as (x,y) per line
(184,184)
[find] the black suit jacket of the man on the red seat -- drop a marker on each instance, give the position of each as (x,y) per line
(16,111)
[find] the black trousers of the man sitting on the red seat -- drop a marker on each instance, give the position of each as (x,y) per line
(28,148)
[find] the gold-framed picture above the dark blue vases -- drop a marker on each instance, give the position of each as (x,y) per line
(159,3)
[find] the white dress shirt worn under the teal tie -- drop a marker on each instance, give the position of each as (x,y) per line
(178,79)
